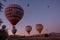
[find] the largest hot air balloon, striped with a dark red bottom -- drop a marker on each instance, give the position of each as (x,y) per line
(14,13)
